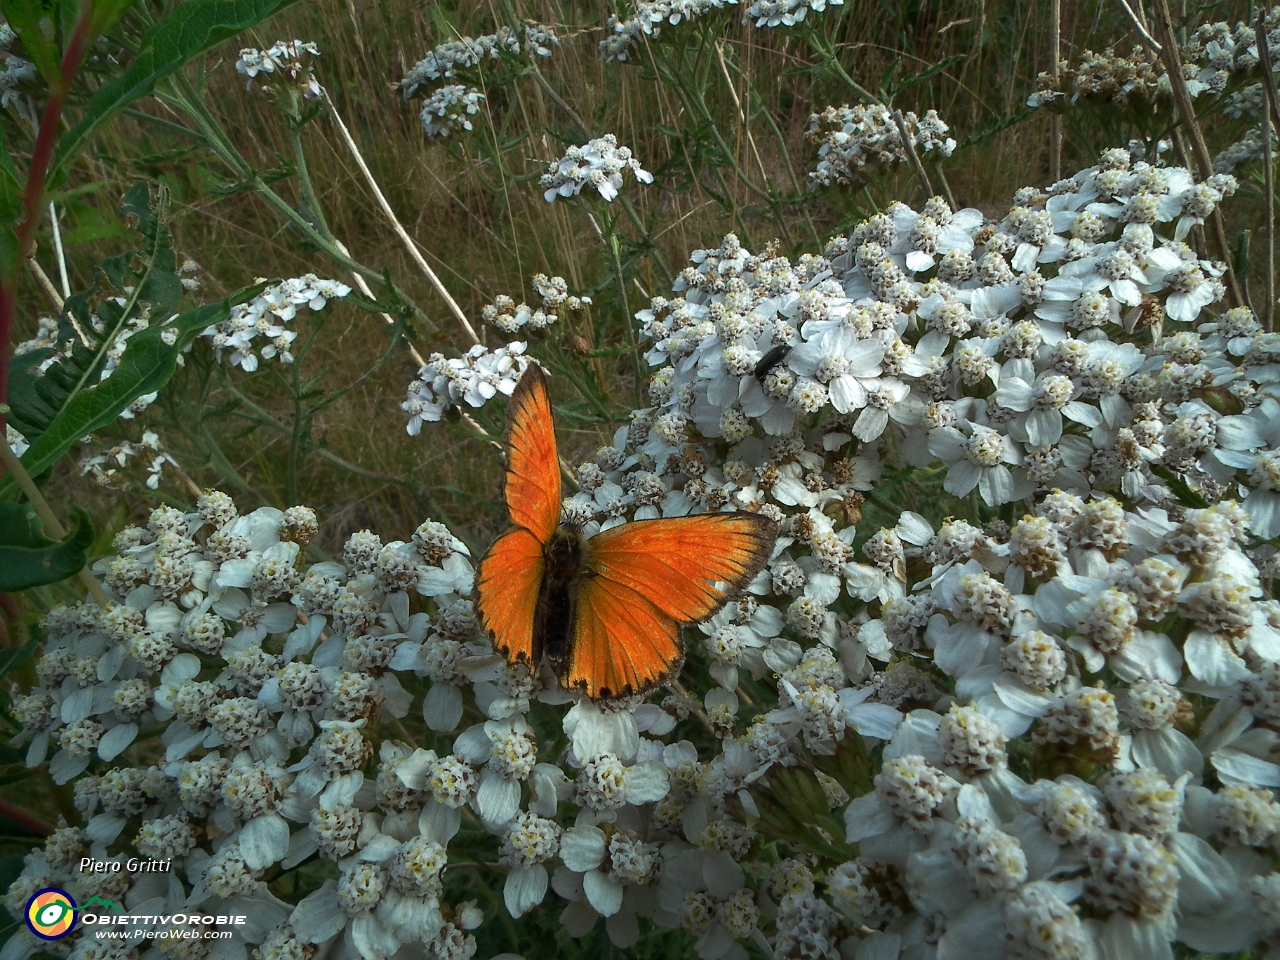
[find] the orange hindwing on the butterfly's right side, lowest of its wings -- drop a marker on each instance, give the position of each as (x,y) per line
(623,644)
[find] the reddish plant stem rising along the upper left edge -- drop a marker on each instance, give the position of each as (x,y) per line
(38,175)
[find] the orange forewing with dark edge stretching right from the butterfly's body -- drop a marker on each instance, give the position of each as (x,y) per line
(676,564)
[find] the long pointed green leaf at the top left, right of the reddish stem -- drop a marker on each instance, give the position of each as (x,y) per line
(184,35)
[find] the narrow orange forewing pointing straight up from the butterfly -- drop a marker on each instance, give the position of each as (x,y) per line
(533,490)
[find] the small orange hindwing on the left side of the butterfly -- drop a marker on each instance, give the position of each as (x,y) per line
(508,587)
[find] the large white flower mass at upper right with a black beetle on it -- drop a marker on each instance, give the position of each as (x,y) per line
(1009,351)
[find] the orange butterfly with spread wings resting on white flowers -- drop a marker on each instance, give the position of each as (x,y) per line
(606,611)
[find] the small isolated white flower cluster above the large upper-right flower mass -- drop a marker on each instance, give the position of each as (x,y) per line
(854,140)
